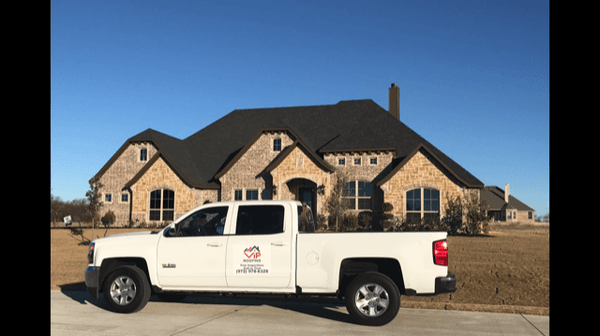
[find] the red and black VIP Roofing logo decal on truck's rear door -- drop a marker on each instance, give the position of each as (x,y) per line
(253,259)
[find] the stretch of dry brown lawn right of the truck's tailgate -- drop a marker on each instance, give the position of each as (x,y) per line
(506,268)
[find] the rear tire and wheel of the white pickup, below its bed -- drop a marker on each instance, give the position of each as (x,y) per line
(372,299)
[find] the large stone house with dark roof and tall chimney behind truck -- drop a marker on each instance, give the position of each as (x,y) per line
(284,153)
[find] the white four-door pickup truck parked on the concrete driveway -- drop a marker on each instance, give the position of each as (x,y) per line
(268,247)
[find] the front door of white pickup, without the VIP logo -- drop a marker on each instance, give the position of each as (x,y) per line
(193,255)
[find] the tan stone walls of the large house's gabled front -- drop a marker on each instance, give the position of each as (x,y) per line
(421,171)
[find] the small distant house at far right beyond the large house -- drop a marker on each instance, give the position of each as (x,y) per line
(504,207)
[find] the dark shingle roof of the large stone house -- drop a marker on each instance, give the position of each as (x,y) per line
(355,124)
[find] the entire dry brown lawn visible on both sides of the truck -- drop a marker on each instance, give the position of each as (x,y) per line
(507,271)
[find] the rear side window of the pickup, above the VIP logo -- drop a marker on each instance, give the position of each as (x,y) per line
(258,220)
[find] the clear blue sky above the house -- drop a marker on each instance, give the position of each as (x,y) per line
(473,75)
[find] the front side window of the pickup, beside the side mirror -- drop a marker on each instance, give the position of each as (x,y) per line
(205,222)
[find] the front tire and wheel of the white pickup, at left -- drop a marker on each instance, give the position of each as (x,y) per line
(126,290)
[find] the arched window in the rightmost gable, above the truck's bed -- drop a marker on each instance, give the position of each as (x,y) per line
(422,203)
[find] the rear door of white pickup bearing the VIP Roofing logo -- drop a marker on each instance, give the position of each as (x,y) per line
(259,252)
